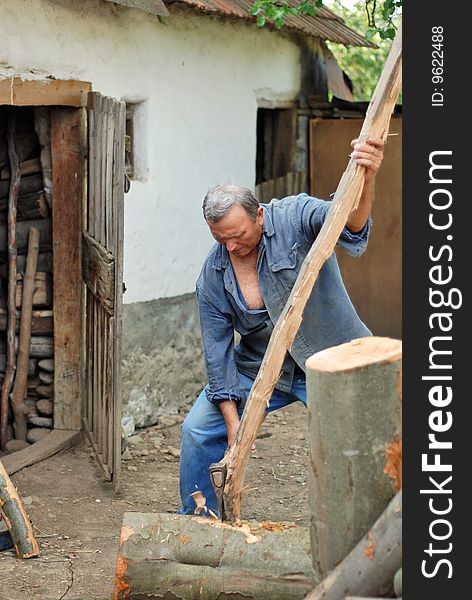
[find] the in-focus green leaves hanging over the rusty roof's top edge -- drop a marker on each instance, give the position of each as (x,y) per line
(380,13)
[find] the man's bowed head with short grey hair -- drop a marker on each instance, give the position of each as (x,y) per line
(234,217)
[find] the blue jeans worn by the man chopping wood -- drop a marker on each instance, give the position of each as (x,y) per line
(204,441)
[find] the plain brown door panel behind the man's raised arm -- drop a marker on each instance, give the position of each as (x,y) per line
(373,280)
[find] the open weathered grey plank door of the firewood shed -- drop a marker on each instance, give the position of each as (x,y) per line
(102,268)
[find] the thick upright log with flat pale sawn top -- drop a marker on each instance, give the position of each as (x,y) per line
(354,417)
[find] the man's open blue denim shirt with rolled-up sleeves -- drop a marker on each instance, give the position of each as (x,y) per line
(290,227)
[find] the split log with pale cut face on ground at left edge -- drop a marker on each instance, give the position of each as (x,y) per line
(16,518)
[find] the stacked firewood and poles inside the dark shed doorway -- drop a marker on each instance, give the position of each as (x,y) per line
(26,297)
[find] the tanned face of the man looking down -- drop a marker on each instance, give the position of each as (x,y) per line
(237,232)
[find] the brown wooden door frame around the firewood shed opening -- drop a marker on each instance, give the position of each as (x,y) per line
(69,151)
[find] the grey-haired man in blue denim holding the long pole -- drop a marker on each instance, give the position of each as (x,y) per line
(243,286)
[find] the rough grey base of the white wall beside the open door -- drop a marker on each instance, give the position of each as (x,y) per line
(163,370)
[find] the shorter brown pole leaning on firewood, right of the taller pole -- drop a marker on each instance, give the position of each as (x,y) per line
(28,290)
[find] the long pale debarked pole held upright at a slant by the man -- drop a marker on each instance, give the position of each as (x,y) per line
(228,475)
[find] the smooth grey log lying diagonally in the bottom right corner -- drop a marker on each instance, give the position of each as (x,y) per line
(369,569)
